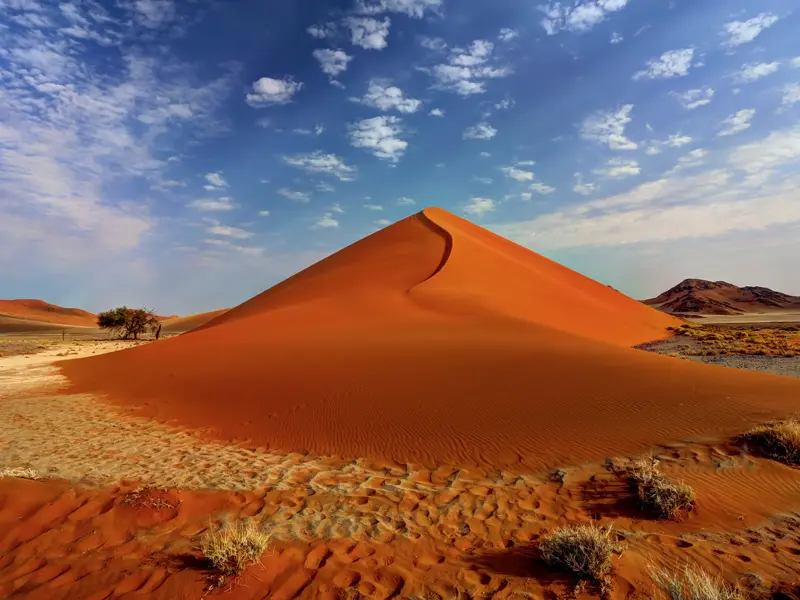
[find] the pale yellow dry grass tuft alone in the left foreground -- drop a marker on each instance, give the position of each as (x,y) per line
(232,549)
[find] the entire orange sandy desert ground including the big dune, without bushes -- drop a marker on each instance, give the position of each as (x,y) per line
(411,417)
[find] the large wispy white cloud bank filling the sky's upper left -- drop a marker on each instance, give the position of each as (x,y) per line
(76,138)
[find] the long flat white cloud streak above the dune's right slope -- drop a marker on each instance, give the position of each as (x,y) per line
(679,207)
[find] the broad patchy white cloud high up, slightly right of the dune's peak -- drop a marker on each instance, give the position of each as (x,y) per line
(468,69)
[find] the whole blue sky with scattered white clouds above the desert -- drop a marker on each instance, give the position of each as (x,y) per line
(187,155)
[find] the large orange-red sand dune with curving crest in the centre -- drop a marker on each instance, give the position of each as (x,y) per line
(436,341)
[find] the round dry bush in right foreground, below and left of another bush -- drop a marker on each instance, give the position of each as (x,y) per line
(586,550)
